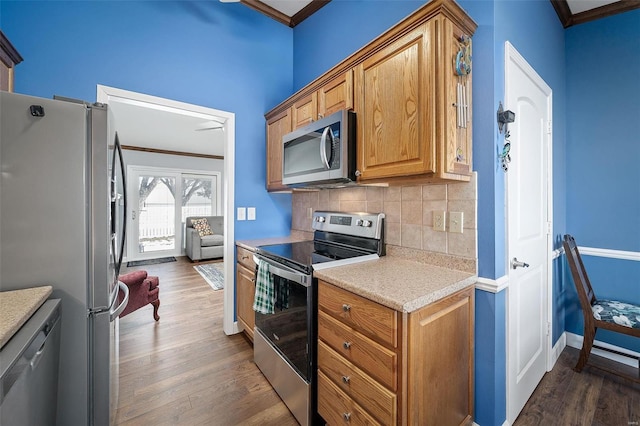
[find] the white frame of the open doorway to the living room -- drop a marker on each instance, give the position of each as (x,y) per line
(106,94)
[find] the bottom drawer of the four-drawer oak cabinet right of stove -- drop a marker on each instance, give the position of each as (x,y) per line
(336,408)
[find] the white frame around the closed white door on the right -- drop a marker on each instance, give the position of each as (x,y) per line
(512,56)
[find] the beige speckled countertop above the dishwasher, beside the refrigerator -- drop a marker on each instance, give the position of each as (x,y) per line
(17,306)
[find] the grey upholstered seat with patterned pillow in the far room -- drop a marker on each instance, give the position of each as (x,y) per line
(204,242)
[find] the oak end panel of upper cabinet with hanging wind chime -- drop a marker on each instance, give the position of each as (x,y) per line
(455,118)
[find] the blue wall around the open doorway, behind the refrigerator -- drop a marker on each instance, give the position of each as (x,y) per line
(223,56)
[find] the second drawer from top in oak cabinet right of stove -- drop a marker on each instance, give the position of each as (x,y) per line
(376,360)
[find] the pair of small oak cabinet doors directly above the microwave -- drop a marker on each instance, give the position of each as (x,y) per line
(335,95)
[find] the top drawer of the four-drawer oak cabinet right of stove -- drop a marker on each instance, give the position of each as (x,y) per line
(369,318)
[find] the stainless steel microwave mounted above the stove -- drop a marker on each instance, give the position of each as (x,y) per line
(322,153)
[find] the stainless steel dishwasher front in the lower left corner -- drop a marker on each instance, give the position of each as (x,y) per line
(29,370)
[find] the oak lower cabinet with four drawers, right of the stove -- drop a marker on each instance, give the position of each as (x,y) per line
(426,379)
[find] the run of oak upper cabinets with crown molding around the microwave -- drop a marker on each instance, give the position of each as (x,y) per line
(413,108)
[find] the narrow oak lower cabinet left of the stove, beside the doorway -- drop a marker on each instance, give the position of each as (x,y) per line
(245,290)
